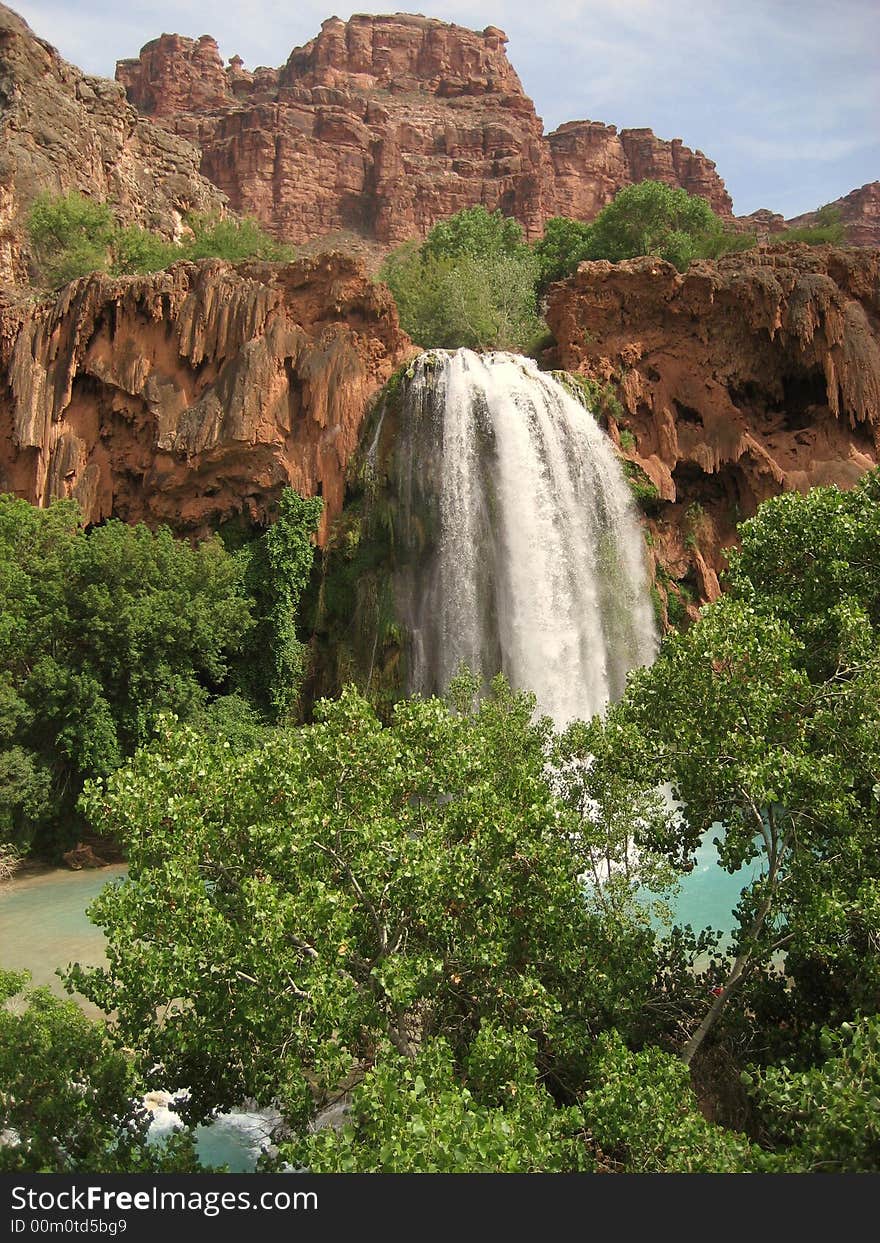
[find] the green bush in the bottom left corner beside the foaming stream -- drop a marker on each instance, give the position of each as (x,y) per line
(69,1099)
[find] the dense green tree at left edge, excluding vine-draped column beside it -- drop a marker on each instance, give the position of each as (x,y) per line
(99,633)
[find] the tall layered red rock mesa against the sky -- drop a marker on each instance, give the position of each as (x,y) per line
(383,126)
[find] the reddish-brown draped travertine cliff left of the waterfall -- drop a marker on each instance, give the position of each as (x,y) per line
(195,396)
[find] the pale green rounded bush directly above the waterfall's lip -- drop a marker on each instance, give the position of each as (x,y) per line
(470,284)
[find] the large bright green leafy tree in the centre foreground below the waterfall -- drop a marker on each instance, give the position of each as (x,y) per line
(349,891)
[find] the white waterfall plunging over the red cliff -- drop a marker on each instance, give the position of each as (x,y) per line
(524,551)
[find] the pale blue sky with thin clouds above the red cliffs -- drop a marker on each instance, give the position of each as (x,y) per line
(784,95)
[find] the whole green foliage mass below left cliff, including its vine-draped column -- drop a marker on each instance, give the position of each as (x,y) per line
(104,631)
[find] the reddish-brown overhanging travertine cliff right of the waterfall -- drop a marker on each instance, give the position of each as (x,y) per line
(739,380)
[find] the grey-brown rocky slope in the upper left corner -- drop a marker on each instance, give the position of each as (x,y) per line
(62,130)
